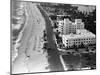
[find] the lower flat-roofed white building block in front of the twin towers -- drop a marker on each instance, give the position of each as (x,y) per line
(81,36)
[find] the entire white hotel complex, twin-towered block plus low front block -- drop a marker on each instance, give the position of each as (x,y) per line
(74,33)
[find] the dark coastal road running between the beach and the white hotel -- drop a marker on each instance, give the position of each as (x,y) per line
(54,56)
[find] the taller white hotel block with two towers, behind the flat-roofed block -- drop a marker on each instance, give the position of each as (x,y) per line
(66,26)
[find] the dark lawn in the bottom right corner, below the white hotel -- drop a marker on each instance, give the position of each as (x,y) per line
(80,61)
